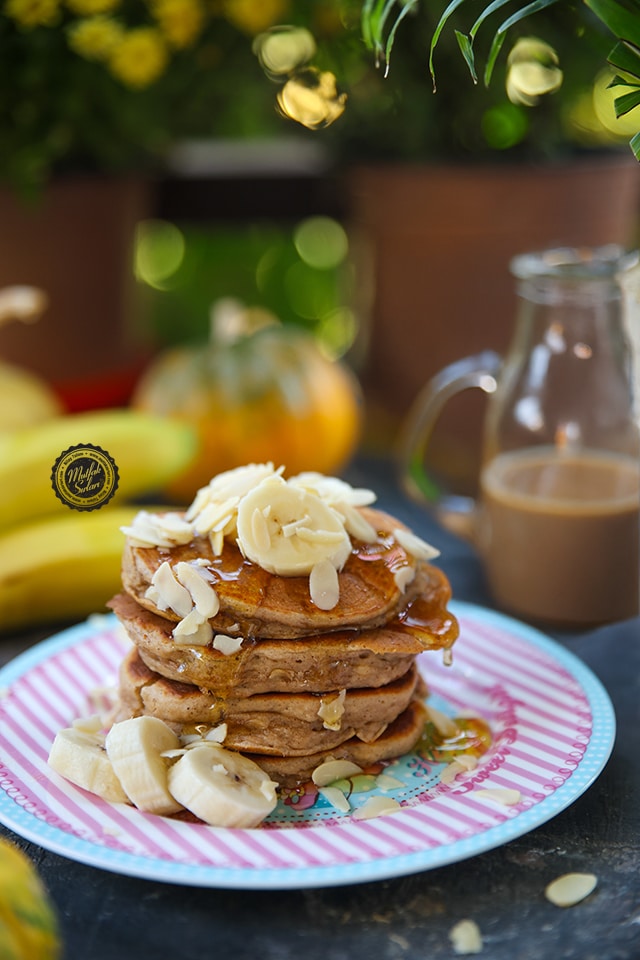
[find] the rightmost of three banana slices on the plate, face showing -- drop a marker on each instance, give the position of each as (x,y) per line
(221,787)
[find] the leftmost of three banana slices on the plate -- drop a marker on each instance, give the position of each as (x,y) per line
(80,756)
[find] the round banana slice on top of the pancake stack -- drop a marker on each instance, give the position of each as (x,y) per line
(287,530)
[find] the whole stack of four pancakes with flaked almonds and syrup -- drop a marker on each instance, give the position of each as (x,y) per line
(272,670)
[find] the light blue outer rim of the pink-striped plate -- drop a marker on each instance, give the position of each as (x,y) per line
(596,755)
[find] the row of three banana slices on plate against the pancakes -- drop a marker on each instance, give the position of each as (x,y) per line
(143,762)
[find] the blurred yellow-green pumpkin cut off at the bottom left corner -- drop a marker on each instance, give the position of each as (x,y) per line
(28,925)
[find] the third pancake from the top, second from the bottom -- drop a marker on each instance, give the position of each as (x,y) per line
(269,723)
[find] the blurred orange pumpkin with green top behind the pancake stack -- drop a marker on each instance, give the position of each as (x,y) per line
(270,395)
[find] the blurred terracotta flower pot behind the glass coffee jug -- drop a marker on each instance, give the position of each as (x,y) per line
(432,247)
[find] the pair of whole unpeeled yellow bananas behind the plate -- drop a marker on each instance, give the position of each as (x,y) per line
(57,563)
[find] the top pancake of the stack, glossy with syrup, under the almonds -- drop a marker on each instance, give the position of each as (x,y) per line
(255,603)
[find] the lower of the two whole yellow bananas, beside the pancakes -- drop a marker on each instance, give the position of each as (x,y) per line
(61,568)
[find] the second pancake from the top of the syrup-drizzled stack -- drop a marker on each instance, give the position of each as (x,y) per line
(323,662)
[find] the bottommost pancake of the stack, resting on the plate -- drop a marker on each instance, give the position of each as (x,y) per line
(400,737)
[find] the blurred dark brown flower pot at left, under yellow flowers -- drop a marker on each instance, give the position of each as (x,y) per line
(76,244)
